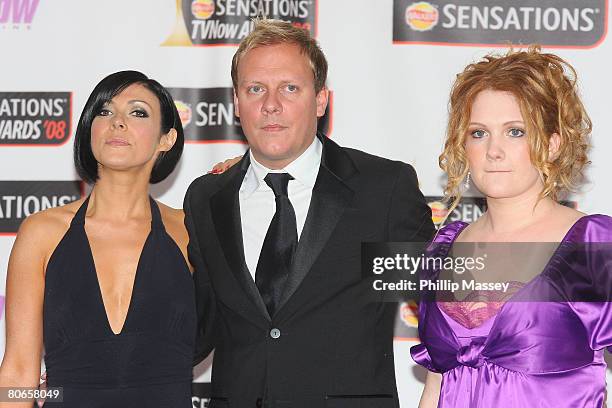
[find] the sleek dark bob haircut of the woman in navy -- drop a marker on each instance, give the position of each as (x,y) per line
(111,86)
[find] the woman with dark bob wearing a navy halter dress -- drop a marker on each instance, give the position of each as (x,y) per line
(104,282)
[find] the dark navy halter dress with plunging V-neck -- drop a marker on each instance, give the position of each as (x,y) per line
(149,363)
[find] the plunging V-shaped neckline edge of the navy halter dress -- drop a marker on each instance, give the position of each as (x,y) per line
(100,297)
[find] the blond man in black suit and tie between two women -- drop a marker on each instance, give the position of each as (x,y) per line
(275,242)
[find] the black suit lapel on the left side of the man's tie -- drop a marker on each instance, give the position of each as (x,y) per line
(225,211)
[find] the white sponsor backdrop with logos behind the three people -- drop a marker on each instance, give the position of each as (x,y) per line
(391,66)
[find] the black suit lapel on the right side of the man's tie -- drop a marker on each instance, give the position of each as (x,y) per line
(330,196)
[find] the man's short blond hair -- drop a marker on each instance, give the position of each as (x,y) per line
(273,32)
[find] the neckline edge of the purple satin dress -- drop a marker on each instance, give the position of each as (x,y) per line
(494,318)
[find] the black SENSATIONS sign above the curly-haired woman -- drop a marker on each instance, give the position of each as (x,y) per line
(560,23)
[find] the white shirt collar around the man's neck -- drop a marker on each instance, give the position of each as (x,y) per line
(304,169)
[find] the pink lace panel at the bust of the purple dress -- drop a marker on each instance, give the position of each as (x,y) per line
(478,306)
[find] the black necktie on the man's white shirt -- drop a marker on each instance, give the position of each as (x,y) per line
(279,245)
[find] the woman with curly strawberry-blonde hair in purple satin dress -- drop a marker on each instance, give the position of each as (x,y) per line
(519,132)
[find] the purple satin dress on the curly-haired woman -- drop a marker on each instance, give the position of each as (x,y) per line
(530,354)
